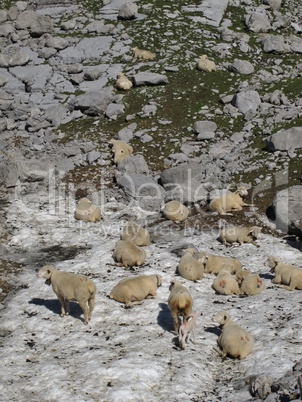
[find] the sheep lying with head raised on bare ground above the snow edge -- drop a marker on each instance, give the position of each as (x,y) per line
(229,202)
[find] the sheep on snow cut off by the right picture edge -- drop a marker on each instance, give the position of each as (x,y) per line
(288,275)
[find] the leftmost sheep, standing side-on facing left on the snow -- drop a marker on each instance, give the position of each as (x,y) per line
(68,286)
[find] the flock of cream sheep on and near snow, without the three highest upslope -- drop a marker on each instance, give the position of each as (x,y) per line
(230,278)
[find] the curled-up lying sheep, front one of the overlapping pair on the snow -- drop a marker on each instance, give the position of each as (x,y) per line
(128,254)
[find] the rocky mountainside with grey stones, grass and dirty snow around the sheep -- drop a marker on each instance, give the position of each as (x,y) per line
(192,132)
